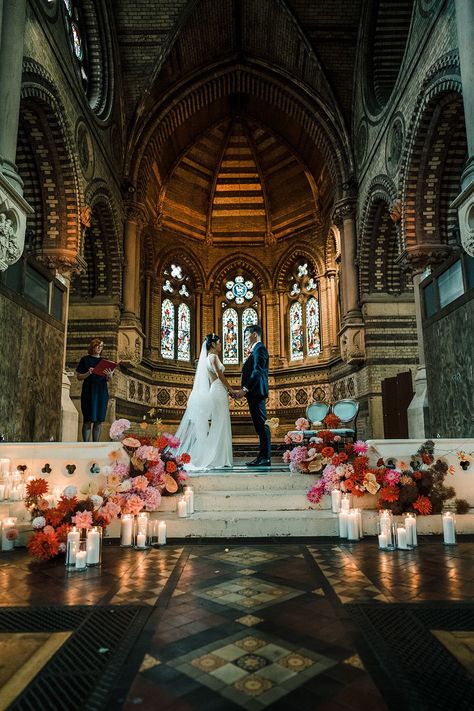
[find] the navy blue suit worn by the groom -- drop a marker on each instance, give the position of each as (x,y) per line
(255,380)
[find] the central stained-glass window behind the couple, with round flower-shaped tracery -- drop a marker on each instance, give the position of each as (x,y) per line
(237,314)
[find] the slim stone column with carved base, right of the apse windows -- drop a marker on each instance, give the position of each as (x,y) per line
(351,335)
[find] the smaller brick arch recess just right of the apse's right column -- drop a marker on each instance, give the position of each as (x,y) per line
(379,246)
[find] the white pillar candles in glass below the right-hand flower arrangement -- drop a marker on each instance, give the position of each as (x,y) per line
(391,536)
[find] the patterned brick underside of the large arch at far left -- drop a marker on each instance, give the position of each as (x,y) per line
(50,139)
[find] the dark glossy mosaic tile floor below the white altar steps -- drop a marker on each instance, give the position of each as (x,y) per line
(279,625)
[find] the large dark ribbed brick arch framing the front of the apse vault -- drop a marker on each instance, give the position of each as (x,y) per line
(266,86)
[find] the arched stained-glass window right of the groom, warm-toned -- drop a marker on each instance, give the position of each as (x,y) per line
(303,314)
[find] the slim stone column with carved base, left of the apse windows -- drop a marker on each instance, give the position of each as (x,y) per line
(130,344)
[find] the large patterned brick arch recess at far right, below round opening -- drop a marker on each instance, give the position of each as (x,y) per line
(433,160)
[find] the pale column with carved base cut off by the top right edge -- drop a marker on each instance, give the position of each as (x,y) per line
(465,200)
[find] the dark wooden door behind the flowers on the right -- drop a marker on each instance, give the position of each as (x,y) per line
(397,393)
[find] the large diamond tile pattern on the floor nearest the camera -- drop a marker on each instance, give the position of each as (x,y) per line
(252,670)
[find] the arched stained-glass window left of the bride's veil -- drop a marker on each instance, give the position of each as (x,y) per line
(176,329)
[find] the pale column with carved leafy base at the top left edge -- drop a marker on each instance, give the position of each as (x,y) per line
(13,208)
